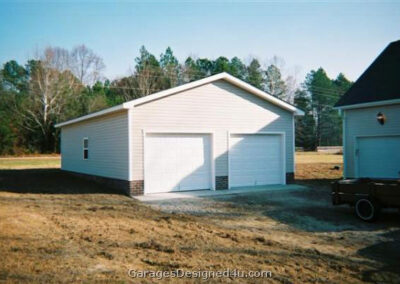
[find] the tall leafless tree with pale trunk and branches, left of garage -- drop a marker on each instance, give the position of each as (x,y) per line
(51,88)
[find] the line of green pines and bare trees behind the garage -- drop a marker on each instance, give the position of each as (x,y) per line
(60,84)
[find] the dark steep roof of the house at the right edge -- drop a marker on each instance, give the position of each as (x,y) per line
(379,84)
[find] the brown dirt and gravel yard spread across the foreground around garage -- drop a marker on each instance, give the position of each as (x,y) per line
(57,228)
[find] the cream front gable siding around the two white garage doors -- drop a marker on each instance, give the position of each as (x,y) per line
(218,107)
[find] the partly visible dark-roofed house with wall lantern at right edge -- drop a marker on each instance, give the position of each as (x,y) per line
(371,119)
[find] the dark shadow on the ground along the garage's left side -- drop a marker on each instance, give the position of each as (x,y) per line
(49,181)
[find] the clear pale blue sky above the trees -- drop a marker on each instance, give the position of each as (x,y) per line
(340,36)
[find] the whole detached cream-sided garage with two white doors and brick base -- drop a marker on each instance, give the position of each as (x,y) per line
(214,133)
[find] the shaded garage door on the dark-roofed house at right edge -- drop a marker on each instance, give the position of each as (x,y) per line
(379,157)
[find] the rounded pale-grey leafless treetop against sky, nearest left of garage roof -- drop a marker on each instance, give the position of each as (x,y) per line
(86,65)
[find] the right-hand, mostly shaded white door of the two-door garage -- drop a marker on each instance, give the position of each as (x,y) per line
(256,159)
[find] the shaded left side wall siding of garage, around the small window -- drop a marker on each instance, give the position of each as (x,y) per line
(108,146)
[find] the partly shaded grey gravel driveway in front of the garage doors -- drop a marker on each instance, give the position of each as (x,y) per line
(307,209)
